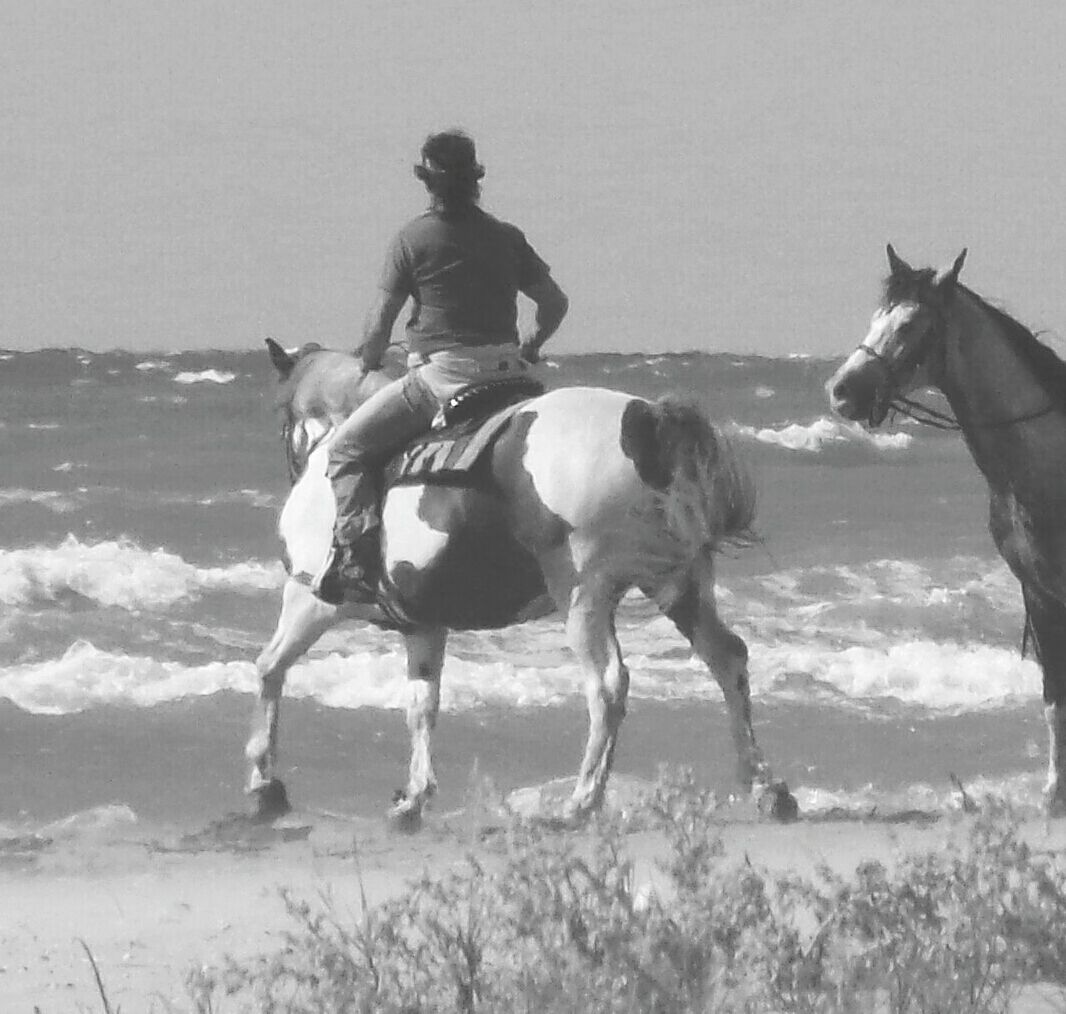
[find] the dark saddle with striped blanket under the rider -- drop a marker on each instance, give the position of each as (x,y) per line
(464,431)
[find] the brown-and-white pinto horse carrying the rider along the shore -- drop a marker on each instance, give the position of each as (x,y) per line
(586,494)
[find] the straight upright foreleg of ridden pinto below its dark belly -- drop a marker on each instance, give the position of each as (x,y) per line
(426,657)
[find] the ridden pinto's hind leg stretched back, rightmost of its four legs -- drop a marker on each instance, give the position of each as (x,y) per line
(694,613)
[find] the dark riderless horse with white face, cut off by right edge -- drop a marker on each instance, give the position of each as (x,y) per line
(1008,394)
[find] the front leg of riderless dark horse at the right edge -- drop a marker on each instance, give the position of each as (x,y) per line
(1047,619)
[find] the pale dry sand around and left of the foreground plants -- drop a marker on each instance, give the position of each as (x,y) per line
(152,907)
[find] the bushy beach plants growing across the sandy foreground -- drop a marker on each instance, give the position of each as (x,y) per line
(550,922)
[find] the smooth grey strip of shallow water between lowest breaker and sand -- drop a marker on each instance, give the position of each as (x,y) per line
(184,763)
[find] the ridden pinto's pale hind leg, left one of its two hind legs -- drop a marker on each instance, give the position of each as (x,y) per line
(592,638)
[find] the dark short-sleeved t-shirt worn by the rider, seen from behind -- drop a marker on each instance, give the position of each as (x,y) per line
(464,272)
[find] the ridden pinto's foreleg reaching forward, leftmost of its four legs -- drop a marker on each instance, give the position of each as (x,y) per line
(304,620)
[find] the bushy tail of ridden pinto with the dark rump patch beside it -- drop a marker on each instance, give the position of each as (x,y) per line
(704,492)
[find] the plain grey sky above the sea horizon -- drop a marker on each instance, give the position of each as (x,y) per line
(704,175)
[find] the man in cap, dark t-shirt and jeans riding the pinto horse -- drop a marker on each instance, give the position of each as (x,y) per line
(463,269)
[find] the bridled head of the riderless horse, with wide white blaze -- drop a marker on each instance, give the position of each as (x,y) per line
(903,350)
